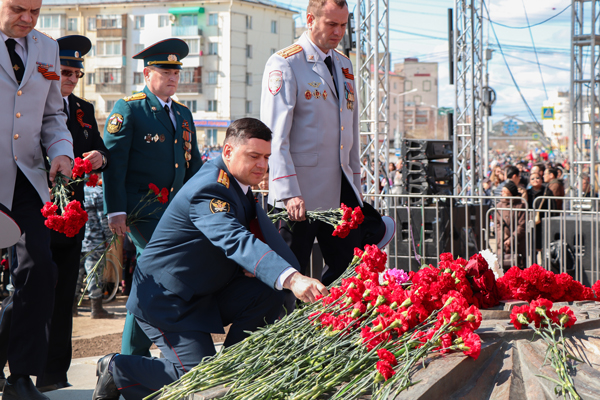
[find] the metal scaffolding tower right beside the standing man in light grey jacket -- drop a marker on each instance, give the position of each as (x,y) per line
(373,64)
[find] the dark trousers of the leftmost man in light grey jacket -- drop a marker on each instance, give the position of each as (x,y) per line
(34,279)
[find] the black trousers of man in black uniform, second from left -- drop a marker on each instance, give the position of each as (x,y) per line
(66,256)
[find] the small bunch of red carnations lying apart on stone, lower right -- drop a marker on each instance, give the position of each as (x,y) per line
(549,325)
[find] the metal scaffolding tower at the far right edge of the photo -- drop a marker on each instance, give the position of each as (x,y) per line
(583,140)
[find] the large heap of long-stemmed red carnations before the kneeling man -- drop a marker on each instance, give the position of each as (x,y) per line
(367,336)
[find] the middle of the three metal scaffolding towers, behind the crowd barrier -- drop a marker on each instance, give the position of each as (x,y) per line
(468,114)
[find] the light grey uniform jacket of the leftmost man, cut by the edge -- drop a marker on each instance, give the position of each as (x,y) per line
(32,116)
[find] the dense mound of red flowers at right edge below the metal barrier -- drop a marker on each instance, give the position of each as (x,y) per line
(535,282)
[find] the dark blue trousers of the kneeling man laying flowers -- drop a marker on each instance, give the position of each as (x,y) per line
(246,303)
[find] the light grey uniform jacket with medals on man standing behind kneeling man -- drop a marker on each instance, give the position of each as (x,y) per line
(315,129)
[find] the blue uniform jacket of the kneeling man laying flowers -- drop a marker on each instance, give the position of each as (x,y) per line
(200,244)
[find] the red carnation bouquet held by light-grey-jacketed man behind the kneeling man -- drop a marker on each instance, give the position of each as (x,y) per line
(343,219)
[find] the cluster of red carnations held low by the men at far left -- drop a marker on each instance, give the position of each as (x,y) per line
(64,215)
